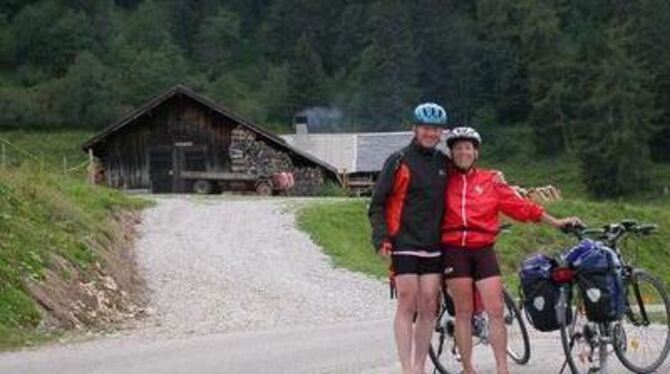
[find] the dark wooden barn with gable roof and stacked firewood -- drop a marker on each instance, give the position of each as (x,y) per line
(181,141)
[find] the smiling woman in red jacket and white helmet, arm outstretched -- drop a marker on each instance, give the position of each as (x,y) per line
(474,199)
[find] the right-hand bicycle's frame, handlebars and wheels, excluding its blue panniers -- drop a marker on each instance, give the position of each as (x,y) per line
(647,308)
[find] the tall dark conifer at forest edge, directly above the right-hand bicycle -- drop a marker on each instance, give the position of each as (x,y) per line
(614,152)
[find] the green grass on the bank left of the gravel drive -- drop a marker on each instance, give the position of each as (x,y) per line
(44,215)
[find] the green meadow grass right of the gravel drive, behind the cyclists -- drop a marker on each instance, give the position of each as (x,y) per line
(341,228)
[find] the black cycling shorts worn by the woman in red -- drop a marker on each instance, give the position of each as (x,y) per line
(479,263)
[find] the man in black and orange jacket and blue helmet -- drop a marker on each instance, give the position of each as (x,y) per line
(406,214)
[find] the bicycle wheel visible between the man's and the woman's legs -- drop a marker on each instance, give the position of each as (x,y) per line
(443,352)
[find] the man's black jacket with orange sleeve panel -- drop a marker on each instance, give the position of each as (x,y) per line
(408,200)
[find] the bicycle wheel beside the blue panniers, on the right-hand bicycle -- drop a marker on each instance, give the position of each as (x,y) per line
(579,337)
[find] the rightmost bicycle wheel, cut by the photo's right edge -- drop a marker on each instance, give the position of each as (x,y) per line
(642,339)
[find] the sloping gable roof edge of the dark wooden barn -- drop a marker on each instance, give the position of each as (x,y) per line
(185,91)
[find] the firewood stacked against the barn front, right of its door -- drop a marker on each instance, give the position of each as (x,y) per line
(250,155)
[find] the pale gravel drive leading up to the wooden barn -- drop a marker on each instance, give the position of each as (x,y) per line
(218,265)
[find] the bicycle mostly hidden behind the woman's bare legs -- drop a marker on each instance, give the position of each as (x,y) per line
(443,352)
